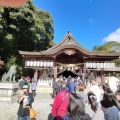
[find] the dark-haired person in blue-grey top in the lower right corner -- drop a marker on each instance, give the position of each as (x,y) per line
(110,104)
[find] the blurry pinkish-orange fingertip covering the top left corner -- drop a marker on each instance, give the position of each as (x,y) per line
(12,3)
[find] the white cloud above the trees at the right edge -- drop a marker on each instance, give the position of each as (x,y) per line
(114,36)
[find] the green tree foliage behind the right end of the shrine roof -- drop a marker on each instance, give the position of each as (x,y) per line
(109,47)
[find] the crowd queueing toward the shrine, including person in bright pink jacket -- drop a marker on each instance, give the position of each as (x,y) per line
(72,103)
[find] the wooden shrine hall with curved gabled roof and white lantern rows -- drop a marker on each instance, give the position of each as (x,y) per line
(70,58)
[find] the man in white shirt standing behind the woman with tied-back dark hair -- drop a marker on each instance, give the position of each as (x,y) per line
(95,89)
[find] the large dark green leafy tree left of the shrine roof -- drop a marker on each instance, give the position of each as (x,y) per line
(26,28)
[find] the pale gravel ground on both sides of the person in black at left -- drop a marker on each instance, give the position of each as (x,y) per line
(41,105)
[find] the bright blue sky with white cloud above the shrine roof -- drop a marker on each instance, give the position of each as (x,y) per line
(91,22)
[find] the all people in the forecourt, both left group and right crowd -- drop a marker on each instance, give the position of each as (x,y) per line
(71,102)
